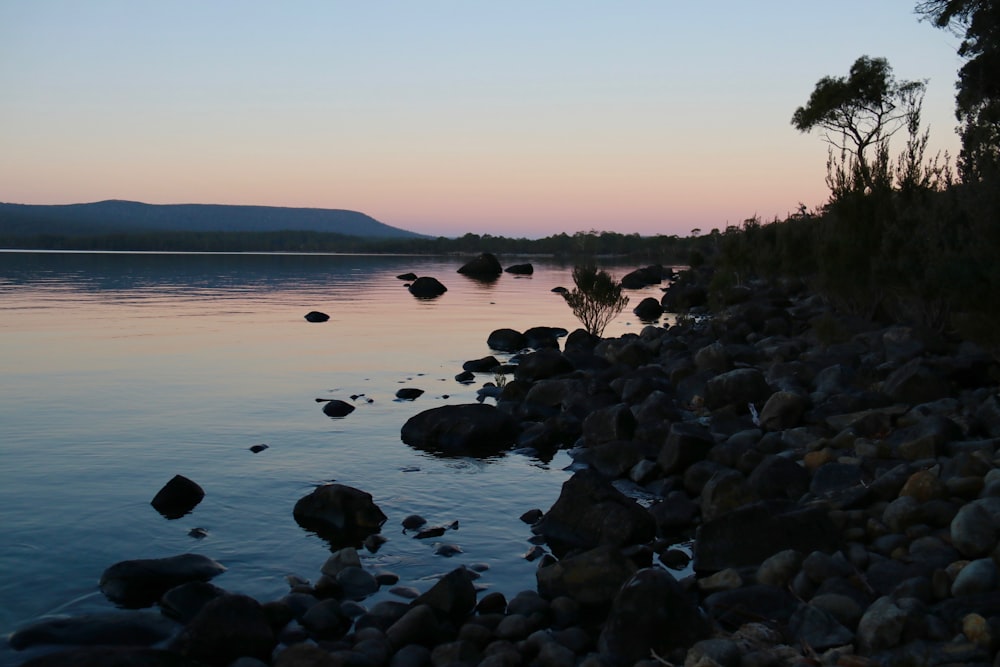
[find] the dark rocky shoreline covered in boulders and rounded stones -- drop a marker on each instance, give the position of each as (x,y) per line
(838,479)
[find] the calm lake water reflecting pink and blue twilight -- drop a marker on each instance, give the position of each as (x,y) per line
(122,370)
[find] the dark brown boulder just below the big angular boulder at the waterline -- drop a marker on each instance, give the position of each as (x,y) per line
(592,578)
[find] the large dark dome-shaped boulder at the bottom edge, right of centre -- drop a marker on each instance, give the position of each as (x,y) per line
(650,613)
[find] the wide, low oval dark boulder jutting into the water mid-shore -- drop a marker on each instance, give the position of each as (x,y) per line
(470,429)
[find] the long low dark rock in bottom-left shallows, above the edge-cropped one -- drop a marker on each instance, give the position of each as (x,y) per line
(111,628)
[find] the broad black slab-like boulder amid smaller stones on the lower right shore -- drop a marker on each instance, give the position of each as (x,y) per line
(749,535)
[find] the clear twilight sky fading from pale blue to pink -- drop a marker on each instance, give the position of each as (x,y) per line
(521,118)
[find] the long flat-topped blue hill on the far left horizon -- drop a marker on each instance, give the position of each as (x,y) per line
(117,216)
